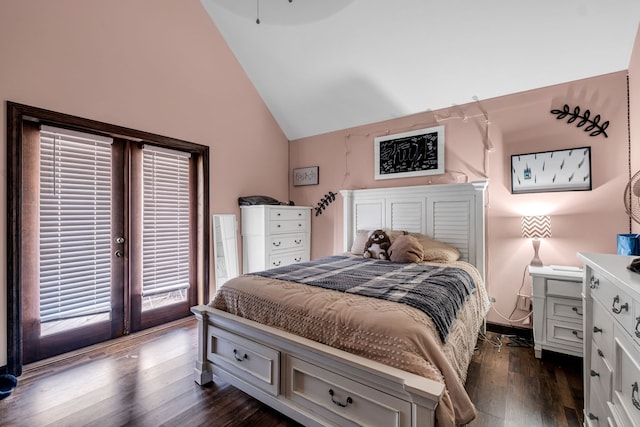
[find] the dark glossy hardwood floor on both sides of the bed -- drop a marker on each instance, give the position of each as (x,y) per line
(147,380)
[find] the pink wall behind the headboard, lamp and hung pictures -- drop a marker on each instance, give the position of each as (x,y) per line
(518,123)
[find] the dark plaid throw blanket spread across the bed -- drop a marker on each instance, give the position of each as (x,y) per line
(438,291)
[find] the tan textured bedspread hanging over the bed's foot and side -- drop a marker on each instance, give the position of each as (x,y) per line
(388,332)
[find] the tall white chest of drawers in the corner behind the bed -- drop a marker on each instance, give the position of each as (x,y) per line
(274,236)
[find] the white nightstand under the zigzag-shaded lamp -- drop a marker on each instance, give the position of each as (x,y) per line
(557,310)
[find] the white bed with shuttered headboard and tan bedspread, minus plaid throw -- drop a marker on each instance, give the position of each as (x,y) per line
(320,362)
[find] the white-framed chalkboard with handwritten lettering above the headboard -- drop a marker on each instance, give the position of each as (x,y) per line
(415,153)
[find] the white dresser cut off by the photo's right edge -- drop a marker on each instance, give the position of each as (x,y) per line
(612,341)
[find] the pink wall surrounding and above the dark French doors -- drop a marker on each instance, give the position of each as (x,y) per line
(159,66)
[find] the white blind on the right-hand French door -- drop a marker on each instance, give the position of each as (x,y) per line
(165,221)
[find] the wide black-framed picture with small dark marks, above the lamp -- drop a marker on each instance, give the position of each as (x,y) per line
(559,170)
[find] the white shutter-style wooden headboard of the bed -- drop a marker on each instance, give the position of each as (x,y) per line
(450,213)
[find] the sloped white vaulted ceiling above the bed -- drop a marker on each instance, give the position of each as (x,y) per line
(326,65)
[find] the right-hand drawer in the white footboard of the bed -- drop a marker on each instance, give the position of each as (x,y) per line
(345,402)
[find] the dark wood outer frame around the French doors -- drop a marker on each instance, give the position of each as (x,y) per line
(17,114)
